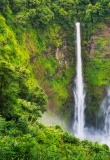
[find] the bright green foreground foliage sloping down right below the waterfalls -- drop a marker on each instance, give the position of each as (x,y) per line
(30,141)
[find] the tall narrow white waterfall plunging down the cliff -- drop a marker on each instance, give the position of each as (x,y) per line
(79,94)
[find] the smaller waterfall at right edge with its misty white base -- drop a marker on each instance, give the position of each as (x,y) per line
(102,134)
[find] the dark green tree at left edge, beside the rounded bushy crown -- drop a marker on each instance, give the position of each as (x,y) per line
(8,89)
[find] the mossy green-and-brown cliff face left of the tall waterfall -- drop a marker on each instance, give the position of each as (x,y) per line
(53,67)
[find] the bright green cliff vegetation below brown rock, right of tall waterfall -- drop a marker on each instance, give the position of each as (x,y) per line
(98,71)
